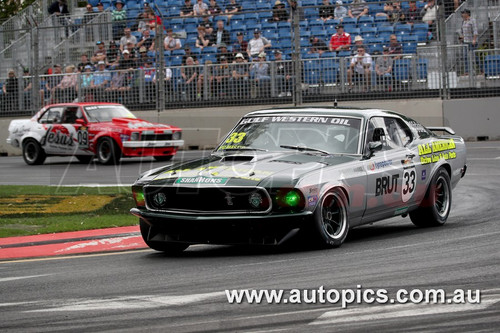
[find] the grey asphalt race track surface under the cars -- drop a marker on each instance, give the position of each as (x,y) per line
(142,290)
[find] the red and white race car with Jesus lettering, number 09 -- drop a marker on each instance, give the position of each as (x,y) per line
(87,130)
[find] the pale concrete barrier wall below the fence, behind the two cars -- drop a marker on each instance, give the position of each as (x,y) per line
(203,128)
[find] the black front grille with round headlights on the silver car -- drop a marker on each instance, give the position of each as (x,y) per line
(222,200)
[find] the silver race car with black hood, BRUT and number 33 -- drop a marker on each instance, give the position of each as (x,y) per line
(315,170)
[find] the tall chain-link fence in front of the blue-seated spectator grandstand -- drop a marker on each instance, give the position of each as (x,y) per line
(81,57)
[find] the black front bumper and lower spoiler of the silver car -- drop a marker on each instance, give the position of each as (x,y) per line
(271,229)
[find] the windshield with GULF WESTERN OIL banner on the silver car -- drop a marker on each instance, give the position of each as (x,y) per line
(308,134)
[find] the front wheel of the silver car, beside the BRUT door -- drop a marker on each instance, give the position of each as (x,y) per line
(331,219)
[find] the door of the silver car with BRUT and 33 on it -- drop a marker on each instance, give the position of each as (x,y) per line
(391,175)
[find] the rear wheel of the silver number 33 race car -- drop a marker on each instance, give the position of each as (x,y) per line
(435,207)
